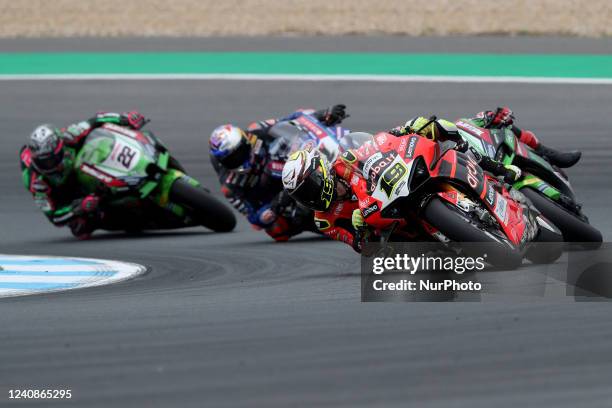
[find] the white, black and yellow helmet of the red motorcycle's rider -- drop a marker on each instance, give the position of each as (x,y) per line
(309,179)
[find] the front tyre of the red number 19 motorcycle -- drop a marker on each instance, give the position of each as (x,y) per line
(457,227)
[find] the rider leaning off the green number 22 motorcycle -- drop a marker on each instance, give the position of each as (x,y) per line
(47,165)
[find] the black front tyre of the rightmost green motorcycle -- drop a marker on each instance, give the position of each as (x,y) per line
(573,228)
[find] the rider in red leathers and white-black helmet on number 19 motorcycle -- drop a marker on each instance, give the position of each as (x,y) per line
(328,188)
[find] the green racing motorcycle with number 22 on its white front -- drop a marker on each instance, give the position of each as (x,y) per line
(143,186)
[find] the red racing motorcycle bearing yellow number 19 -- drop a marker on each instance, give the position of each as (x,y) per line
(413,182)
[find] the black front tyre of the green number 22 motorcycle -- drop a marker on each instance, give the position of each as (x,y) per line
(208,211)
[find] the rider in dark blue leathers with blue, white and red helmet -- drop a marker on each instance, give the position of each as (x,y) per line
(249,177)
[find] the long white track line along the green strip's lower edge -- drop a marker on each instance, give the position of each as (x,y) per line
(314,77)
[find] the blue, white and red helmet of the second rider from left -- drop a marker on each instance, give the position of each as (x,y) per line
(230,146)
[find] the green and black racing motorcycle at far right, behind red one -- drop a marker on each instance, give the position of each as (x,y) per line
(545,185)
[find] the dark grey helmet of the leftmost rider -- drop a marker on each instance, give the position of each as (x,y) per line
(46,147)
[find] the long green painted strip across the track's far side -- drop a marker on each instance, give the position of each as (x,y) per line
(563,66)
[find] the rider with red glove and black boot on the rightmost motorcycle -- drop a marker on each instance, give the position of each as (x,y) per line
(503,117)
